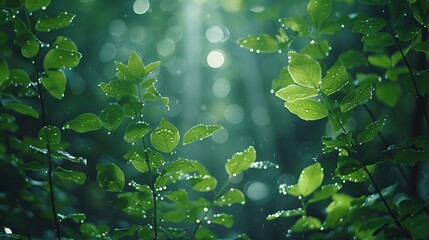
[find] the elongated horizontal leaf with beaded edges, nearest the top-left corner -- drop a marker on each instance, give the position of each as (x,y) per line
(46,24)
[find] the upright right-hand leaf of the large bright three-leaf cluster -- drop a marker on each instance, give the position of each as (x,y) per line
(336,78)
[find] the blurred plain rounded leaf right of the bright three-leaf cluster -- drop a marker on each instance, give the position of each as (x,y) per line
(388,93)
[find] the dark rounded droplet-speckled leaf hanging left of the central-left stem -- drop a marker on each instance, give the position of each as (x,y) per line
(110,177)
